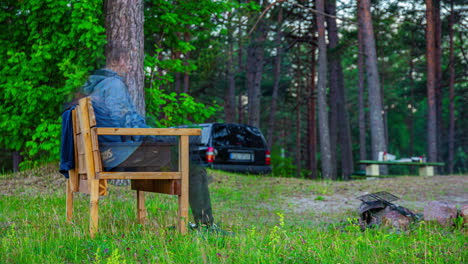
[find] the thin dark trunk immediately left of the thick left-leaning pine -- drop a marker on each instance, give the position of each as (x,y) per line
(361,90)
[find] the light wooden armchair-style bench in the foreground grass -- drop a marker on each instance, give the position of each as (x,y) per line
(88,176)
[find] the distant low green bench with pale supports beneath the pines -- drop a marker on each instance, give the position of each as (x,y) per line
(425,168)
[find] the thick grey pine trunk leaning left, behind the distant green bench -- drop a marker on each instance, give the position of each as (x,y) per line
(373,84)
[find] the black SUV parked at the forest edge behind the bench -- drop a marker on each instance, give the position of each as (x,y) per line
(232,147)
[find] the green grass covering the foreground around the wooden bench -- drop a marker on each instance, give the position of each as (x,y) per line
(33,227)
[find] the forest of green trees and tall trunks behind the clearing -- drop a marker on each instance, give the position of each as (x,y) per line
(254,62)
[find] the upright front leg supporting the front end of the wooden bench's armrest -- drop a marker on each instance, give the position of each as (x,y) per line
(184,196)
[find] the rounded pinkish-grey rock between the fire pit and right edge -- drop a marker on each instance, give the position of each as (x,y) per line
(440,212)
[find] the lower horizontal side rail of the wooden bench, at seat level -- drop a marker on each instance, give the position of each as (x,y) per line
(140,175)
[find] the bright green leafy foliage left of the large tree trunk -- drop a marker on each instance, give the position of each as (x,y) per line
(49,49)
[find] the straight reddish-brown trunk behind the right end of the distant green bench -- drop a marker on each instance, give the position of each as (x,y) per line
(431,83)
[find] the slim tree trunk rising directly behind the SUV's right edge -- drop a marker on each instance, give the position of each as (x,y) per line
(277,73)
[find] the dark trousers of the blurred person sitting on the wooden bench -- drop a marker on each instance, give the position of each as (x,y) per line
(147,157)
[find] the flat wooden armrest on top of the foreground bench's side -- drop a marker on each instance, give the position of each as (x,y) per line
(149,131)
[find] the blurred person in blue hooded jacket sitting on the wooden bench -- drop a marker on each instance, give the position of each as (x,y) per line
(113,107)
